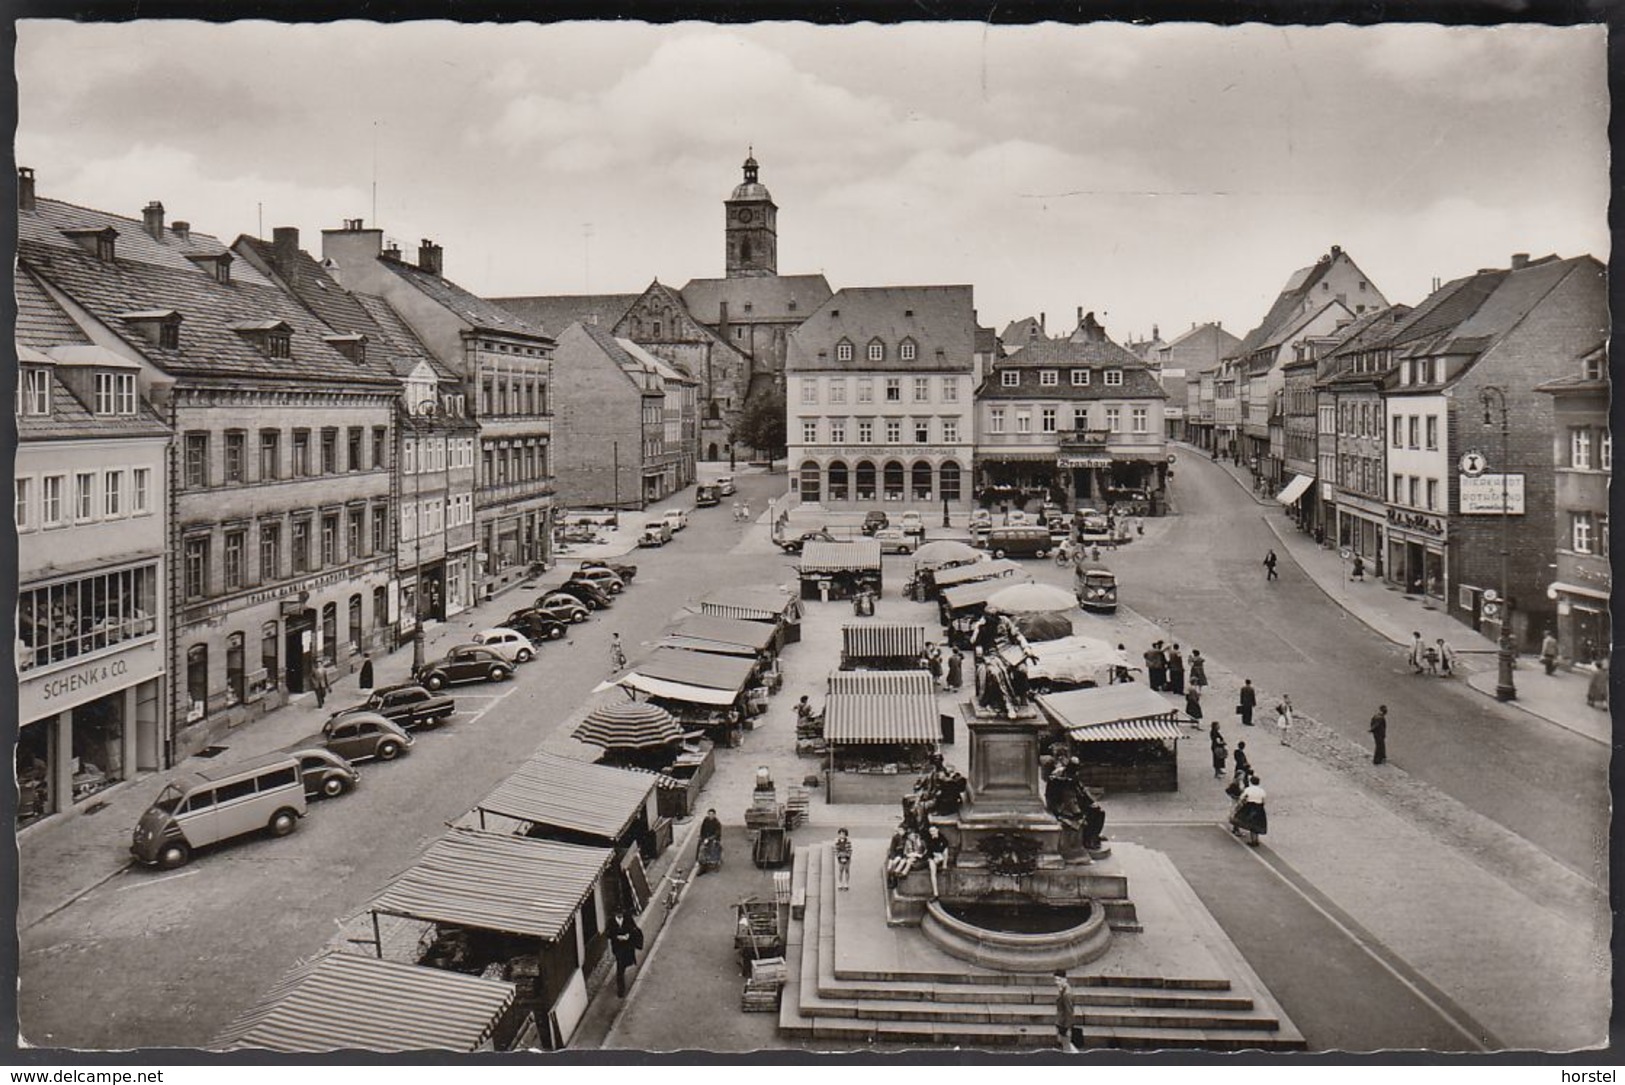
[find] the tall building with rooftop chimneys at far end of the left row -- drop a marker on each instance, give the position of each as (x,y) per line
(505,366)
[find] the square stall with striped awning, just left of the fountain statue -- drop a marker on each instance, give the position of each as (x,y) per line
(882,730)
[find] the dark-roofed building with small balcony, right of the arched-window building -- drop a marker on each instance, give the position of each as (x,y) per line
(1077,421)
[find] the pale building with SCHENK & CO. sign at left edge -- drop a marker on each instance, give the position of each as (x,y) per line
(92,527)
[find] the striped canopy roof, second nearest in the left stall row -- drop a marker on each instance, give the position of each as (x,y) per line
(498,883)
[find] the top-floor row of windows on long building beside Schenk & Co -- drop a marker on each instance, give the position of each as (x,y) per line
(201,470)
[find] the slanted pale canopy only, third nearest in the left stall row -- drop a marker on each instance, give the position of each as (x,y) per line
(566,793)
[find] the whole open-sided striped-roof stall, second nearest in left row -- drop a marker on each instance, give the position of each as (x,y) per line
(527,912)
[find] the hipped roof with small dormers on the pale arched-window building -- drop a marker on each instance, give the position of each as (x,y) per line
(940,321)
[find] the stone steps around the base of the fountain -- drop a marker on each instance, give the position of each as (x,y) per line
(977,1008)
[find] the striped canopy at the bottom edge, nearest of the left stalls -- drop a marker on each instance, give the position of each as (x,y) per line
(340,1001)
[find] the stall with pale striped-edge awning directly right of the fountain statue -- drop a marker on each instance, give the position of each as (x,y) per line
(1125,737)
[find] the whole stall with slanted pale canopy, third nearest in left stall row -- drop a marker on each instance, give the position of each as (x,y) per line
(579,803)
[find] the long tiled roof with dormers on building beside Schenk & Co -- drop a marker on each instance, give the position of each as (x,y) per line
(150,275)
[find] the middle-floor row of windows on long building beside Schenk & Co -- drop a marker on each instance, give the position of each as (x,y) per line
(313,543)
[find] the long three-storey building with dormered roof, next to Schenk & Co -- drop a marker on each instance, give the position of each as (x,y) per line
(280,501)
